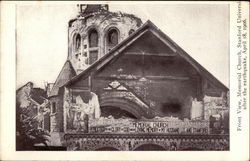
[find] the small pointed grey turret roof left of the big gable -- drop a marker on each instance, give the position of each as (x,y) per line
(66,73)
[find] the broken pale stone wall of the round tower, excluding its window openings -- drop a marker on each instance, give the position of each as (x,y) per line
(101,22)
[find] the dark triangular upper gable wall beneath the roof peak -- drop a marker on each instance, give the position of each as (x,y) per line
(147,56)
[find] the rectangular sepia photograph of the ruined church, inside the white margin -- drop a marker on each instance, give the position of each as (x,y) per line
(115,77)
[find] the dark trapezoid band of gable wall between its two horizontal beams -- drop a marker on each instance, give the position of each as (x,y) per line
(137,65)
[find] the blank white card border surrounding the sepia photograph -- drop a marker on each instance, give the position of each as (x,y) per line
(239,141)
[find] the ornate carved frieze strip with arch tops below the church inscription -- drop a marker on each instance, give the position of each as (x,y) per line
(130,144)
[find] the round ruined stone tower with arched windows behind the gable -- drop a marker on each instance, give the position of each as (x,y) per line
(95,32)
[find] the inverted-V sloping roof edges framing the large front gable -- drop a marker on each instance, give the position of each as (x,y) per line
(147,27)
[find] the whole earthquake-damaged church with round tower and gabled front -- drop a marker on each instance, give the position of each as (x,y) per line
(127,86)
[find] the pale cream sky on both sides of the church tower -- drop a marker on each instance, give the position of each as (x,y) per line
(202,30)
